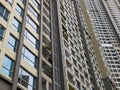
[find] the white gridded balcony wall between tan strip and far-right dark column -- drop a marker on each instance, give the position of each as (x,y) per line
(107,36)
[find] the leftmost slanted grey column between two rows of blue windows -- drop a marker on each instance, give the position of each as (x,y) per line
(18,56)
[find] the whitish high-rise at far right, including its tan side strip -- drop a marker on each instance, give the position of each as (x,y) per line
(104,17)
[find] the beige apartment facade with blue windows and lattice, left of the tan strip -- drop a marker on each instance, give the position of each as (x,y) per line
(45,45)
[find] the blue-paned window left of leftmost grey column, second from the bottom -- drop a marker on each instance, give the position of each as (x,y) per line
(12,43)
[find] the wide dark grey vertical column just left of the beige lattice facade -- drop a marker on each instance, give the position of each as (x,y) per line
(59,82)
